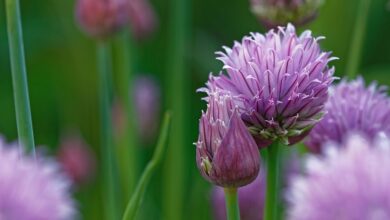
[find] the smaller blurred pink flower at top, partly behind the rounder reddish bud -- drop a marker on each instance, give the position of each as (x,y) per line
(142,18)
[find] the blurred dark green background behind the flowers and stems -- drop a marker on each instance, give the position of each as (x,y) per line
(61,63)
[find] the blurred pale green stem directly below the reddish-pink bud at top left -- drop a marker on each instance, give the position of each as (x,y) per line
(104,62)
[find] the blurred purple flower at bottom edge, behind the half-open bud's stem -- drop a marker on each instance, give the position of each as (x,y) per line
(250,199)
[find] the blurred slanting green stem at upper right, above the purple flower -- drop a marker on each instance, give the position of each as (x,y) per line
(355,49)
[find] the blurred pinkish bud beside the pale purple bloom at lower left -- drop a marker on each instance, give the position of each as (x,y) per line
(76,159)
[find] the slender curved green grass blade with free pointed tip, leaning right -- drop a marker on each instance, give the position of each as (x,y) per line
(136,199)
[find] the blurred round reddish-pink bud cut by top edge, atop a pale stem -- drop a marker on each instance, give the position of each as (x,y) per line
(101,18)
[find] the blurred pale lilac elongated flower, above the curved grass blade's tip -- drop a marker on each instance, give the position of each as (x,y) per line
(147,106)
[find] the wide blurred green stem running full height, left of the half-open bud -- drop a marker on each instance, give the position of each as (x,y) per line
(177,95)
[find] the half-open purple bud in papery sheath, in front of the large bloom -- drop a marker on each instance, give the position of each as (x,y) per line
(226,153)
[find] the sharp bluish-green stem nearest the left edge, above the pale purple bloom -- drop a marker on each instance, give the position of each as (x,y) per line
(19,76)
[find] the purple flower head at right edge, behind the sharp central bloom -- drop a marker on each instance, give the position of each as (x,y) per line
(352,108)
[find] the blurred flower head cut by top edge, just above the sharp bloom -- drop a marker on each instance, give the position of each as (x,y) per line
(273,13)
